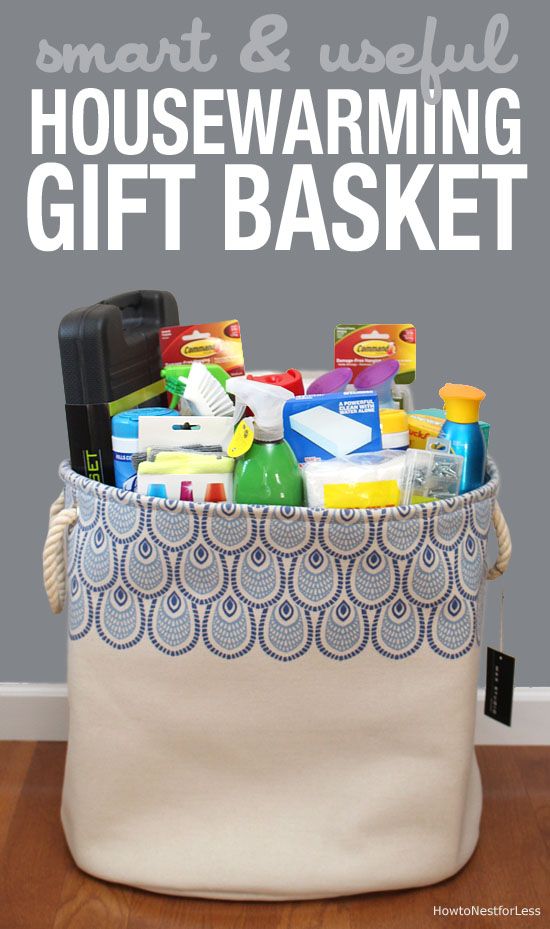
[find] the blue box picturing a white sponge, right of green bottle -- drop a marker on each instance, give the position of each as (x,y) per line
(332,425)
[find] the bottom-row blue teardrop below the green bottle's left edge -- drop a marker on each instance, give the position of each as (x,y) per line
(229,630)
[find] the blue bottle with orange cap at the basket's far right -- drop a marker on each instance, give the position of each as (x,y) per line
(462,428)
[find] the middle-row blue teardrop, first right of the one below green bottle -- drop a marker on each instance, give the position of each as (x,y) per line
(315,579)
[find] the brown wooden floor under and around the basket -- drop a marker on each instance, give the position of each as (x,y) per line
(42,889)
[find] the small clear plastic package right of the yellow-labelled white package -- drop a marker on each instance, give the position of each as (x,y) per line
(432,473)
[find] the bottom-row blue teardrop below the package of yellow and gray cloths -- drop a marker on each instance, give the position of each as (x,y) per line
(173,626)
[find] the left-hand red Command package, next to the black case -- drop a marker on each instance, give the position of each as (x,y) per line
(210,343)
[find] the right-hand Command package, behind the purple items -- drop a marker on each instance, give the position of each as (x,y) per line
(357,346)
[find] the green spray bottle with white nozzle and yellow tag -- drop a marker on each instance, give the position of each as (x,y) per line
(266,471)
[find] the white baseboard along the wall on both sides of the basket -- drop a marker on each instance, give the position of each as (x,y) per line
(39,712)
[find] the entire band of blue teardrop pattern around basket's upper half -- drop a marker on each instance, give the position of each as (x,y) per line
(230,578)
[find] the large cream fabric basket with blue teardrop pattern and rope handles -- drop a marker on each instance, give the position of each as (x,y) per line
(271,703)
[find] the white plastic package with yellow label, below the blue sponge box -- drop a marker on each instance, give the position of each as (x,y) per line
(368,480)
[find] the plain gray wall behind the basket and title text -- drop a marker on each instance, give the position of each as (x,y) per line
(481,316)
